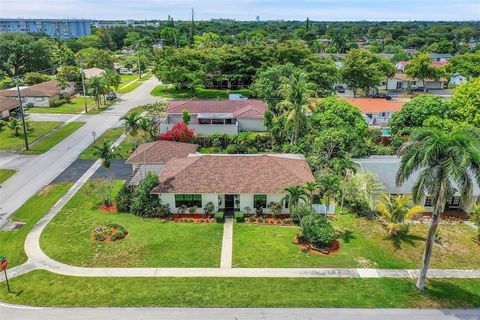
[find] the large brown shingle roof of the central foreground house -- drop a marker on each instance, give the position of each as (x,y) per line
(264,174)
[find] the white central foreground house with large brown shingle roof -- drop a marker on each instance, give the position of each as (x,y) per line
(231,182)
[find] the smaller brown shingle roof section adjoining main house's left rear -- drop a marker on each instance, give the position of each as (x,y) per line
(161,151)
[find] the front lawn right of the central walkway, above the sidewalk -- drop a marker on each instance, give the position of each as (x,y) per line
(363,243)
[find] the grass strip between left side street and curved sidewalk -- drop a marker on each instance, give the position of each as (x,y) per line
(30,212)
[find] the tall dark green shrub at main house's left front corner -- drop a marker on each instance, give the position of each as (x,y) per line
(143,203)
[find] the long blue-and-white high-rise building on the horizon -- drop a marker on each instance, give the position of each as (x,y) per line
(55,28)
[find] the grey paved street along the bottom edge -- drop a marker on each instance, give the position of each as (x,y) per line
(16,312)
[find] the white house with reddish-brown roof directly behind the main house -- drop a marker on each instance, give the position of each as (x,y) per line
(217,116)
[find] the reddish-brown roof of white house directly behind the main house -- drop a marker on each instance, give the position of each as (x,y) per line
(250,108)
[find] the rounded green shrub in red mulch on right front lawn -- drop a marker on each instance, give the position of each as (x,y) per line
(317,231)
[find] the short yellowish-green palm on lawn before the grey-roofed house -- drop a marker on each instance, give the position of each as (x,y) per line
(396,210)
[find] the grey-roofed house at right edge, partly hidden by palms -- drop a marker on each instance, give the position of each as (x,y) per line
(386,167)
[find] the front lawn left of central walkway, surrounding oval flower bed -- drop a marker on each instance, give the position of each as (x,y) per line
(150,242)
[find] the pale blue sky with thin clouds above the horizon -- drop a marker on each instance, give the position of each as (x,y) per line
(245,9)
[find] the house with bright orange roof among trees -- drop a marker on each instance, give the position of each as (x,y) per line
(376,111)
